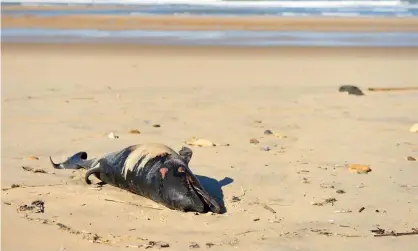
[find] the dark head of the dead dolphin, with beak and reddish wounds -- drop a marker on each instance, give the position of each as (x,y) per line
(179,189)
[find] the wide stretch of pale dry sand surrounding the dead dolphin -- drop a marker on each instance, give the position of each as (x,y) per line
(59,99)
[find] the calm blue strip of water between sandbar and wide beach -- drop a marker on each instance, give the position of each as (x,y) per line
(214,38)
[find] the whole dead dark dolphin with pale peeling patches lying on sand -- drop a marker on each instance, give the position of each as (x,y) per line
(151,170)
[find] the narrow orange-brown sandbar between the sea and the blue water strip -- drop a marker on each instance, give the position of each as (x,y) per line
(255,23)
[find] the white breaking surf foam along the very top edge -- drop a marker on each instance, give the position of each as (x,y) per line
(221,3)
